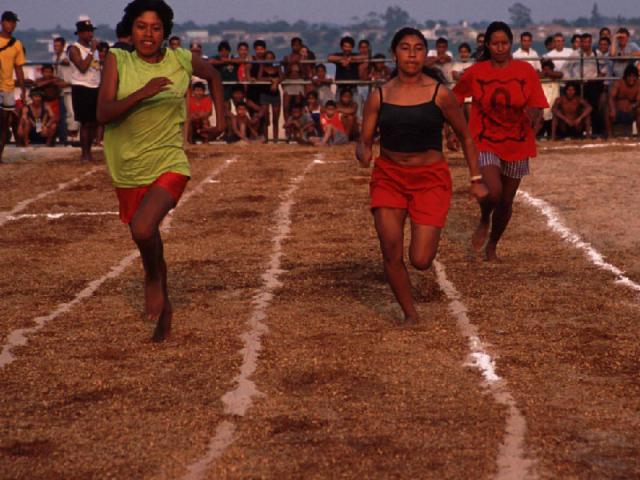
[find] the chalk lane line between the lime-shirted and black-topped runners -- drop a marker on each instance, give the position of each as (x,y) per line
(237,401)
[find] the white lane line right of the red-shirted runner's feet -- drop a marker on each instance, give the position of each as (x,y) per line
(556,225)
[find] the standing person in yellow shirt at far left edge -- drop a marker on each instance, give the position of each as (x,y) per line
(12,59)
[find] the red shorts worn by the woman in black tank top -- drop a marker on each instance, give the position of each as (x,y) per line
(424,191)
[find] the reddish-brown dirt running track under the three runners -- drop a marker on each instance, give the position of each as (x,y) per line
(345,392)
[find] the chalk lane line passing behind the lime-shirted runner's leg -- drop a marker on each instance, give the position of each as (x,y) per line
(20,336)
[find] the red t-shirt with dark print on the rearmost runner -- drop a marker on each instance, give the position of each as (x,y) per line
(499,122)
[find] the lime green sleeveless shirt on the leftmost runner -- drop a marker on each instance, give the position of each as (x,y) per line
(149,141)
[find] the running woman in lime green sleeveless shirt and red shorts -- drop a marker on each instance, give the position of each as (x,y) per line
(142,102)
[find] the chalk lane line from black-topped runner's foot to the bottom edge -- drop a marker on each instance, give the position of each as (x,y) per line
(512,461)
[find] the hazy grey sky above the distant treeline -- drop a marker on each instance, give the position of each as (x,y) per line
(48,13)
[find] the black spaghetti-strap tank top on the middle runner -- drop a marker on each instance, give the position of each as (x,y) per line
(411,128)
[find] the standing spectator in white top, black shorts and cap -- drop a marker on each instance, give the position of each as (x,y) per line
(85,83)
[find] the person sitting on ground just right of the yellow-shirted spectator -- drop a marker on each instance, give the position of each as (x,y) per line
(38,123)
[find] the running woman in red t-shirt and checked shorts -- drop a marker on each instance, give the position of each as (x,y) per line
(507,99)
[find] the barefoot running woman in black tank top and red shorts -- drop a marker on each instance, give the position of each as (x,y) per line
(411,176)
